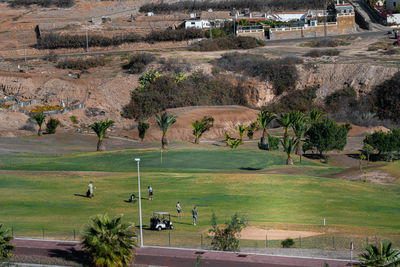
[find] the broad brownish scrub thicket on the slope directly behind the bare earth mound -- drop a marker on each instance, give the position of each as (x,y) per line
(198,89)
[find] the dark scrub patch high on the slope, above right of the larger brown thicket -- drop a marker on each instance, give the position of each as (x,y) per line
(281,72)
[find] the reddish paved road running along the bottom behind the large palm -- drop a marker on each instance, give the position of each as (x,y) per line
(172,257)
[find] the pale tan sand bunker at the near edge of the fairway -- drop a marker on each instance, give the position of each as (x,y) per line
(254,233)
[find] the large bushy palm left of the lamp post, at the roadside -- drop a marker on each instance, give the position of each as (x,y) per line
(109,242)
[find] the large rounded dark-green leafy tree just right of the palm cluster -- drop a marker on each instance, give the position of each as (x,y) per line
(326,135)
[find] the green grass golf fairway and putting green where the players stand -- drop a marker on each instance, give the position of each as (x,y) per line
(38,192)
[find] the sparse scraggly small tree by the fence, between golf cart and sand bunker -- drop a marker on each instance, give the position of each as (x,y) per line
(226,238)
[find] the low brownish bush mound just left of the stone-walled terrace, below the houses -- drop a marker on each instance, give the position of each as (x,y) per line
(228,43)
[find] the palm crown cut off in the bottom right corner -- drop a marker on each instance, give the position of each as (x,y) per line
(383,255)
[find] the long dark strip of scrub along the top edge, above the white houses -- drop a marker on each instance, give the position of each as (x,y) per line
(254,5)
